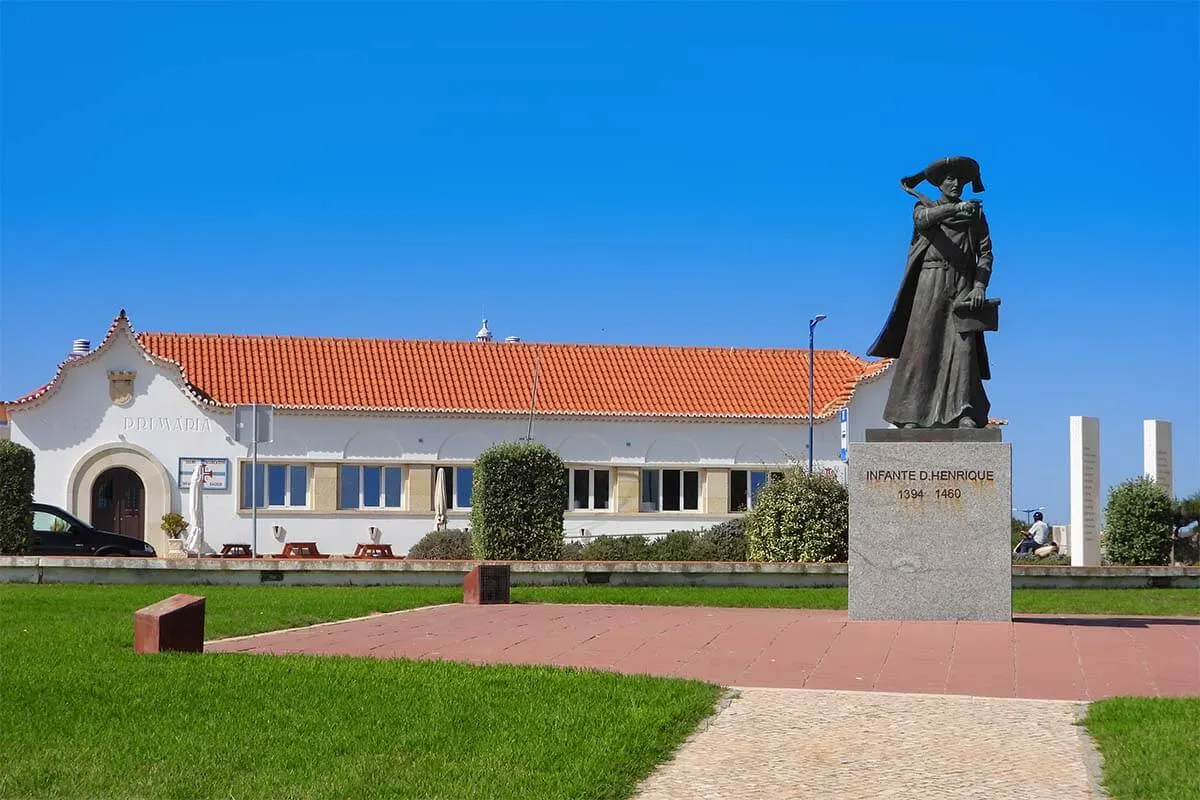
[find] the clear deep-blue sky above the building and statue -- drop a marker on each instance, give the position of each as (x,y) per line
(639,173)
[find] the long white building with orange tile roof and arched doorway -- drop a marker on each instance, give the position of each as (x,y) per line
(657,438)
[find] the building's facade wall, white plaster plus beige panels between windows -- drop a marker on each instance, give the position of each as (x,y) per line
(81,424)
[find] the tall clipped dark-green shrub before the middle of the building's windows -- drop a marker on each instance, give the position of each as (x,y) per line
(518,503)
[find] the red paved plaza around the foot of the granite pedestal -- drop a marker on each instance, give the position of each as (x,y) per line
(1046,658)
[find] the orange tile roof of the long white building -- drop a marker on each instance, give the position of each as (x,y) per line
(496,377)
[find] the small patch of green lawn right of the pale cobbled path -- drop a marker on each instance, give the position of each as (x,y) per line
(1151,747)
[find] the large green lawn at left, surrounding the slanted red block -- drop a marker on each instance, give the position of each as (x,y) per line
(83,717)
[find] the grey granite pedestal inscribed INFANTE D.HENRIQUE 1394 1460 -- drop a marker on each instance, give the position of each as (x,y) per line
(931,526)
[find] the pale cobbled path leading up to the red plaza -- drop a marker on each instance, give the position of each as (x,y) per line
(789,744)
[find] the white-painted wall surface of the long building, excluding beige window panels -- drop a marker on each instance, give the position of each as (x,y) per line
(80,417)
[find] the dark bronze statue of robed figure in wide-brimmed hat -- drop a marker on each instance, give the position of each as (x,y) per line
(935,330)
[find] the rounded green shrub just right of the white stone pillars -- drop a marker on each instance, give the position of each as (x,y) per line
(1138,524)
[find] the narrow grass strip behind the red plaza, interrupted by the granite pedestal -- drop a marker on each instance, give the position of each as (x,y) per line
(1159,603)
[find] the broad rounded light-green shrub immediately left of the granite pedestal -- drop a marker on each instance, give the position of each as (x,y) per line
(800,519)
